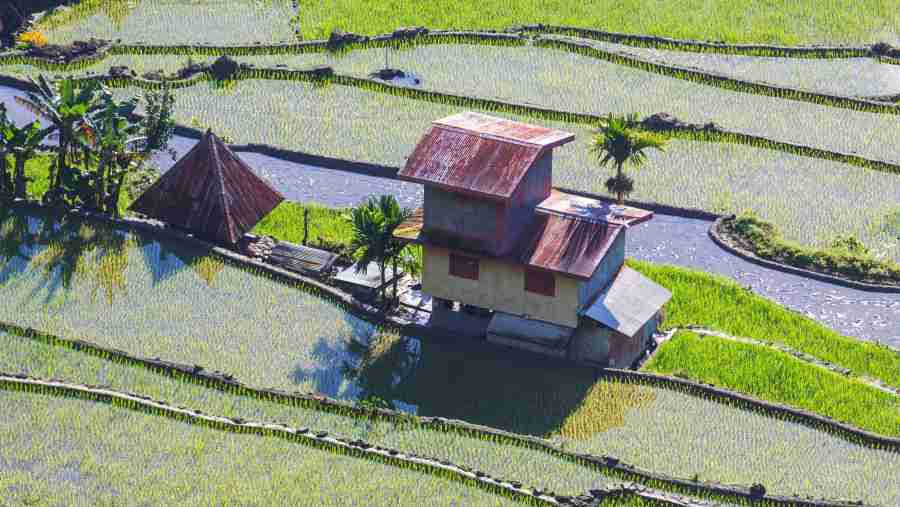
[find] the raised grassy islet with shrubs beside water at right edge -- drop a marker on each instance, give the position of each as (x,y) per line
(847,258)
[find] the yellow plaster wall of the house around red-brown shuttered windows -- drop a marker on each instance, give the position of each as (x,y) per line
(500,286)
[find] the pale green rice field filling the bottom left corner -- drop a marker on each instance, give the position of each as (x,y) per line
(59,451)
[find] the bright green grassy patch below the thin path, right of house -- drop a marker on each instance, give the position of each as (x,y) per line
(773,375)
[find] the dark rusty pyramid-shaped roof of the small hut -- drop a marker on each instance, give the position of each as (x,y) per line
(210,191)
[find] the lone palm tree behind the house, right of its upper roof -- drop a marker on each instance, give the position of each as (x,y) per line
(619,144)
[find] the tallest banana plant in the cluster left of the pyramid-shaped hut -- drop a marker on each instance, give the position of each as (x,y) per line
(65,111)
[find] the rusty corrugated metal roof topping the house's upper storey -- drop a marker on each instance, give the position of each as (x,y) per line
(479,154)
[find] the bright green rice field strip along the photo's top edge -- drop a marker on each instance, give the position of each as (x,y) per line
(775,21)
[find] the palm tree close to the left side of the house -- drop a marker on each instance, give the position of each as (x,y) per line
(373,235)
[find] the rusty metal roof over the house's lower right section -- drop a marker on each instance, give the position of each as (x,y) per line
(569,245)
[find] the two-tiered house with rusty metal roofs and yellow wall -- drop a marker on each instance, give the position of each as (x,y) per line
(496,236)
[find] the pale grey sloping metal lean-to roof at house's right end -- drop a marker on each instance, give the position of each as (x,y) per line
(628,302)
